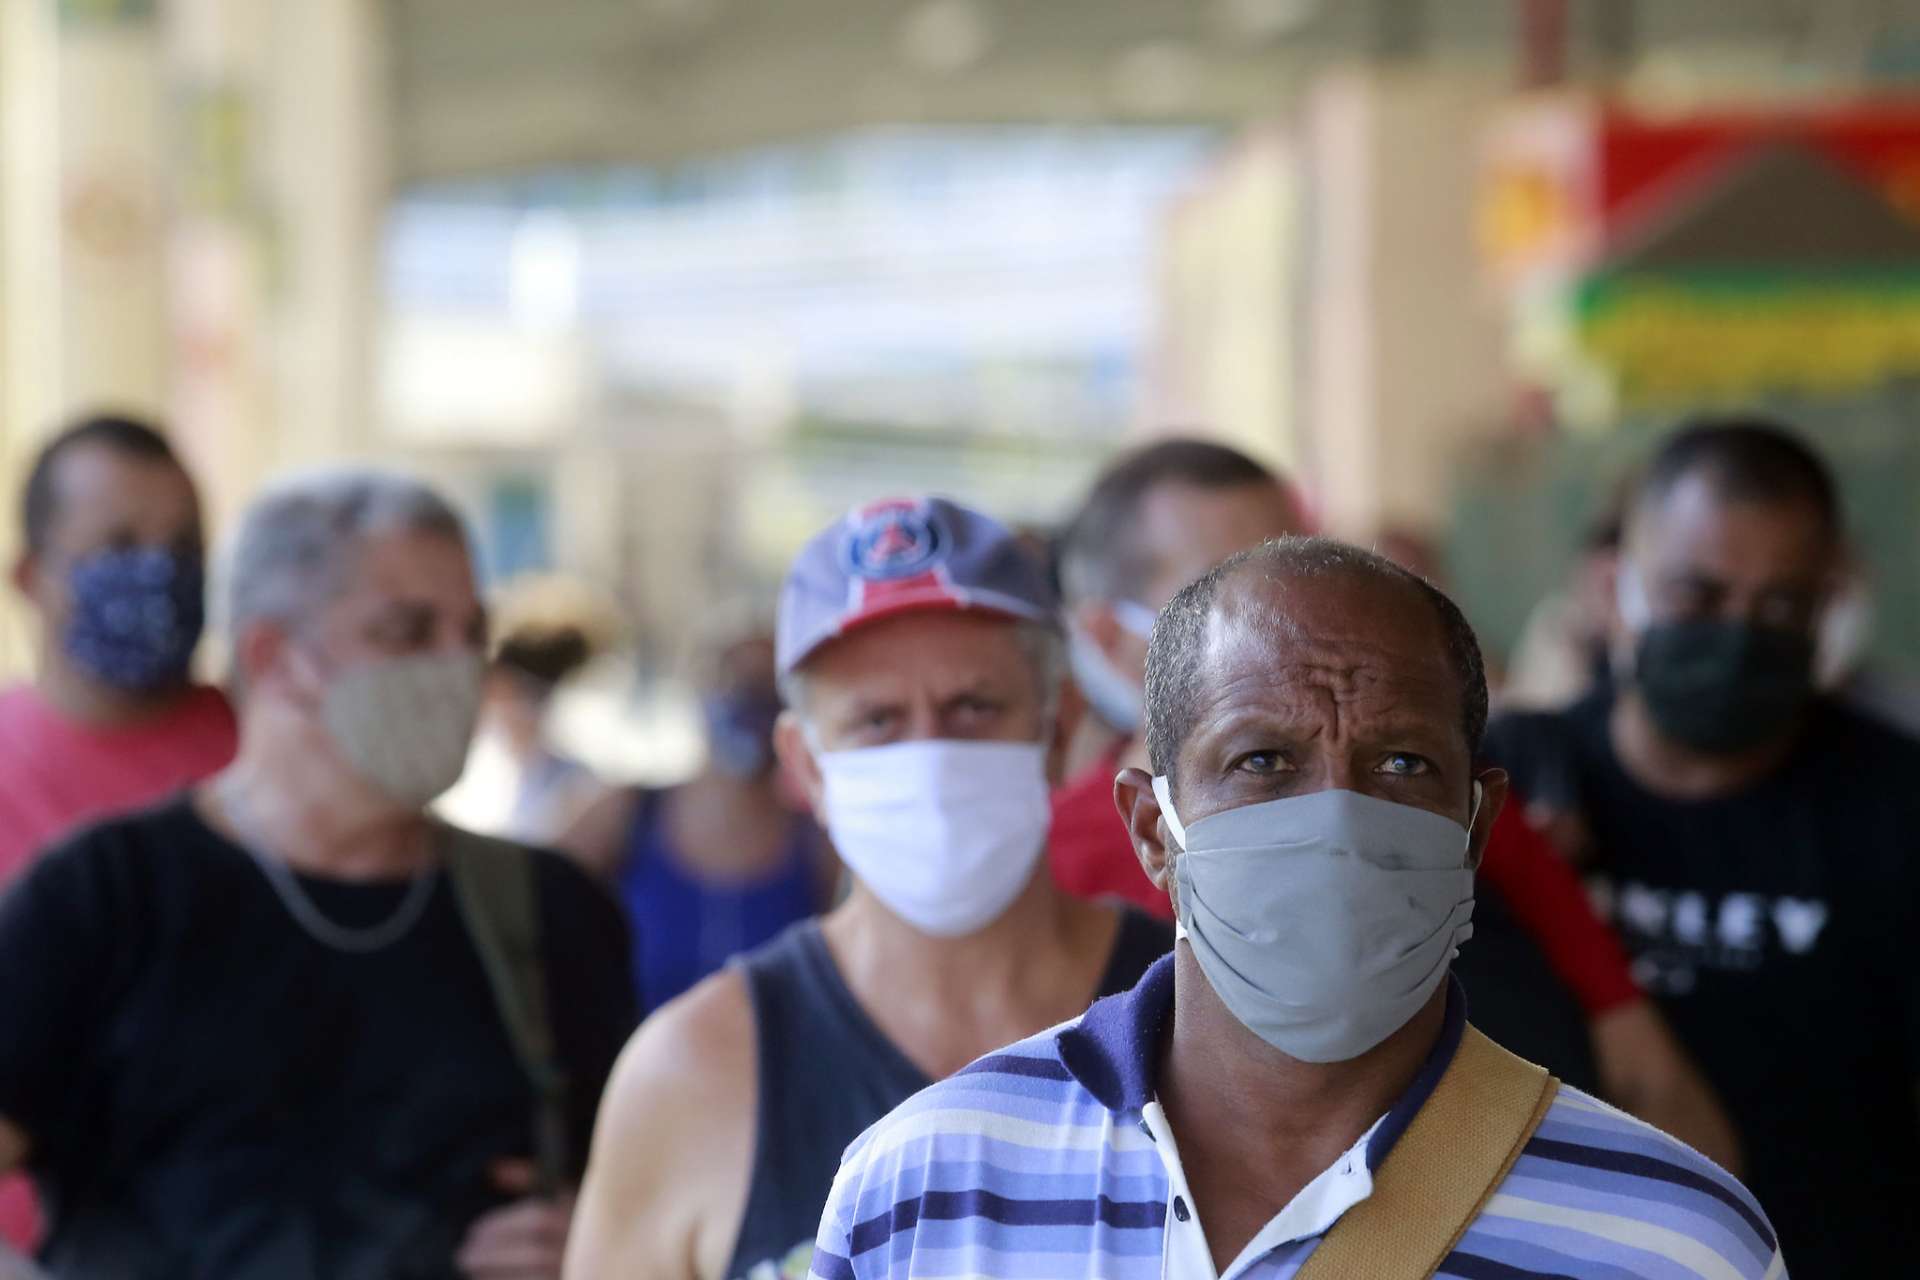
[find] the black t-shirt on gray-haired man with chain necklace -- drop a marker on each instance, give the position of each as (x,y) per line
(214,1093)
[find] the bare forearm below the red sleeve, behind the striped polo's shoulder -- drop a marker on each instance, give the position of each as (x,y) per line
(1644,1070)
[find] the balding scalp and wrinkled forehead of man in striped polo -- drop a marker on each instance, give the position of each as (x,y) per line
(1341,625)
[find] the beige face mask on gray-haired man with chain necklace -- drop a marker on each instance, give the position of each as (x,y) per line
(406,724)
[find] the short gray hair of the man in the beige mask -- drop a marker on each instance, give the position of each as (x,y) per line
(299,542)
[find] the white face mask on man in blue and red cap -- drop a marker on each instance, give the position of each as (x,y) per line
(946,834)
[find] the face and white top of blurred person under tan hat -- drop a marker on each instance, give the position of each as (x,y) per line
(552,790)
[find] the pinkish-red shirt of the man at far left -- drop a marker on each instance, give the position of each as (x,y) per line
(57,776)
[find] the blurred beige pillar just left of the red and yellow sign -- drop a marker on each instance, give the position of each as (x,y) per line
(1406,341)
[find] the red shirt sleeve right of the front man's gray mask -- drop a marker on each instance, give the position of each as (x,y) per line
(1548,901)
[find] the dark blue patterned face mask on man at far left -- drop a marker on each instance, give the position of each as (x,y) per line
(137,617)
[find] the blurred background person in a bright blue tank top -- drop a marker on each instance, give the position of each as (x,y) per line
(723,863)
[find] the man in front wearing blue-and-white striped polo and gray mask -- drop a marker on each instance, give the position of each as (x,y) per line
(1297,1089)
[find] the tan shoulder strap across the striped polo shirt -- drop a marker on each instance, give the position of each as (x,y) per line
(1443,1172)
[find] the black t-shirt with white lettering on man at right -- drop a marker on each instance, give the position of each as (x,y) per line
(1777,932)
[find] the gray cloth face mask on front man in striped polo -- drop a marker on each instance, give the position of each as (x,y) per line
(1324,922)
